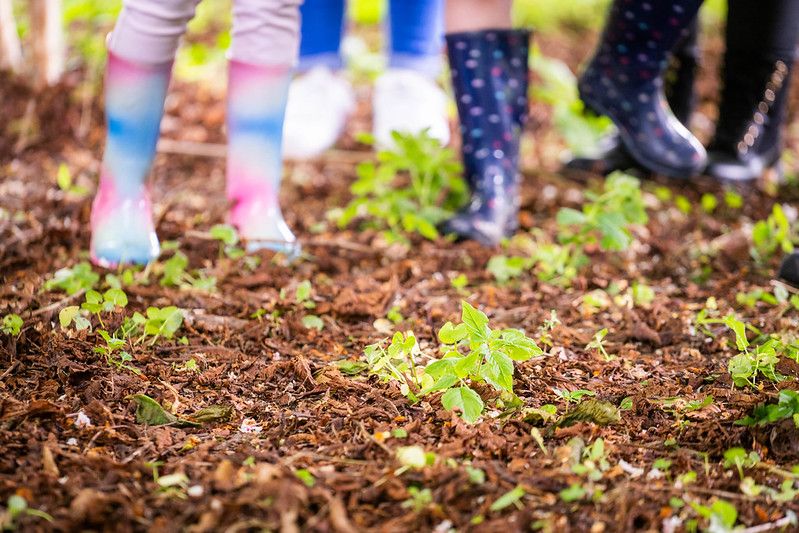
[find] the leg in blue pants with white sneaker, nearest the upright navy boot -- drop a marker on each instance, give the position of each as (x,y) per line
(407,98)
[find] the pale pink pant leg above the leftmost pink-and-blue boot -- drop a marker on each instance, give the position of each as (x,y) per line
(149,31)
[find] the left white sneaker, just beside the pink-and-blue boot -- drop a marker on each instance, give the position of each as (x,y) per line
(318,105)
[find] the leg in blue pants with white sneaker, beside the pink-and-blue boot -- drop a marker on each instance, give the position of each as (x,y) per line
(320,99)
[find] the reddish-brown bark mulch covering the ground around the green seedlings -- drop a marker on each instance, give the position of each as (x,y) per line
(99,476)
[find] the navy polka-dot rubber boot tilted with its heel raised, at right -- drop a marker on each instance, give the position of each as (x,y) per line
(625,81)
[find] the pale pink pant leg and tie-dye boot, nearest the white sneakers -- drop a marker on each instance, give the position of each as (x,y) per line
(263,54)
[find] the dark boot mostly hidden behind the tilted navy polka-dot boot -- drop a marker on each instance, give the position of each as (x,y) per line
(611,155)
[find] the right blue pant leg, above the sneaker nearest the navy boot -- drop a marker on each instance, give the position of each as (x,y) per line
(416,35)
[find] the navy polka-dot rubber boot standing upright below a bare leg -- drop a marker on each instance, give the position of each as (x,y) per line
(490,79)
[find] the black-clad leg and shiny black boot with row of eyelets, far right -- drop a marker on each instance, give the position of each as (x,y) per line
(761,43)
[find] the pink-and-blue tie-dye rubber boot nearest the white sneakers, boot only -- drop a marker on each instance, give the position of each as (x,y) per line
(256,106)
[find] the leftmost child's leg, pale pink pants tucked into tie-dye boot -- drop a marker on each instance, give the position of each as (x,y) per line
(141,49)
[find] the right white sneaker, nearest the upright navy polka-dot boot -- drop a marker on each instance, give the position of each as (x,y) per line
(408,102)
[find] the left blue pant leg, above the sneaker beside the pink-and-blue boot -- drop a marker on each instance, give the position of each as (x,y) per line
(322,30)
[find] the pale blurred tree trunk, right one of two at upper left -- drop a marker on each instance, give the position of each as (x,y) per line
(48,40)
